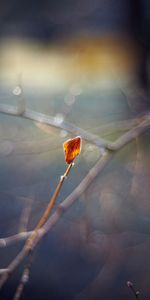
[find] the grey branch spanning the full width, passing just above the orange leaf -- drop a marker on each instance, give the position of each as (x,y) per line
(90,137)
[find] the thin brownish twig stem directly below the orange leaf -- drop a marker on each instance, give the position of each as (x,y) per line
(47,212)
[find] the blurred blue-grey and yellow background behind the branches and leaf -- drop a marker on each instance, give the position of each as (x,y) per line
(85,62)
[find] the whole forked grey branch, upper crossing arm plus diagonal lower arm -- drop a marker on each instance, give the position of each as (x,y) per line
(114,146)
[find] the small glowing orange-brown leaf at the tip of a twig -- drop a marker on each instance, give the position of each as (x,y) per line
(72,149)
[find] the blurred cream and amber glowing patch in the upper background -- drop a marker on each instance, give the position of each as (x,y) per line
(102,62)
